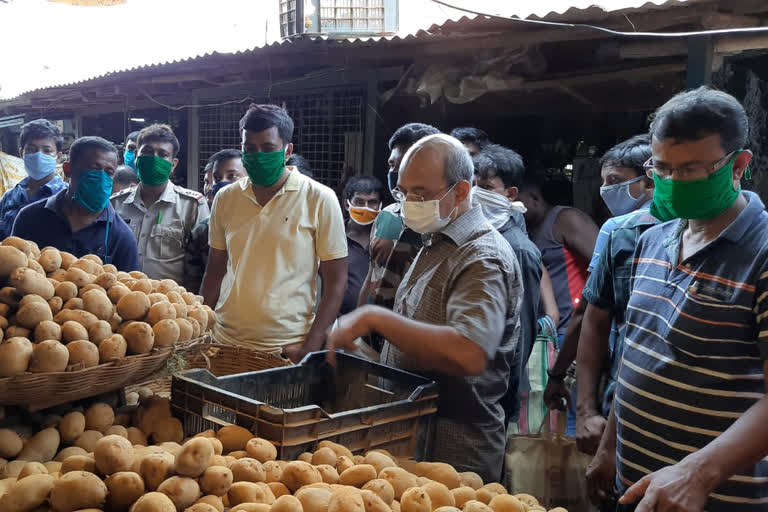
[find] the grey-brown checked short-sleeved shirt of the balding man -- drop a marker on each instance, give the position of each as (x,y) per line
(467,277)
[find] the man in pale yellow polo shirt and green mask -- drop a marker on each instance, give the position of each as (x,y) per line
(271,234)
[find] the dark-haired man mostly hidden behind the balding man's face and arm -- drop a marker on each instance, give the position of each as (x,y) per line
(393,245)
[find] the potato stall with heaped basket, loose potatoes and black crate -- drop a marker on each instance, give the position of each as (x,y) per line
(114,398)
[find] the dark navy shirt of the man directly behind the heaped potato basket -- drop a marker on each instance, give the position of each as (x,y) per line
(43,223)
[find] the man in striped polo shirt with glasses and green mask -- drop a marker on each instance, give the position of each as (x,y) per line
(688,424)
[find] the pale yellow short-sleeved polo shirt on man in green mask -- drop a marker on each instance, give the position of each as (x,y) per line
(274,254)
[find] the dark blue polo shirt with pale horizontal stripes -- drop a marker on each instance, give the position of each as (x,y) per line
(696,339)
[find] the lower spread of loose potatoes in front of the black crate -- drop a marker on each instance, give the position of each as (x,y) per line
(90,460)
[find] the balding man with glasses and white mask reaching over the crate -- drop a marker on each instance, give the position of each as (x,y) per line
(456,314)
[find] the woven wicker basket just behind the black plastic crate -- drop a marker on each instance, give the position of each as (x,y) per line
(220,360)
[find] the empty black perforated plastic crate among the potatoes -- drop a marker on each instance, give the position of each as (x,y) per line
(360,404)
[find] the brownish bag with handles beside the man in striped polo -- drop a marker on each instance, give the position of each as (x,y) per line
(548,466)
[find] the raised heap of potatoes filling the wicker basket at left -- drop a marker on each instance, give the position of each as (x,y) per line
(60,313)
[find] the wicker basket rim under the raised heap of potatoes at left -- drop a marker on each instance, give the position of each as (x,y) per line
(35,391)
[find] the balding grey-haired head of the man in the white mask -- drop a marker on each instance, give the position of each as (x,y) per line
(436,166)
